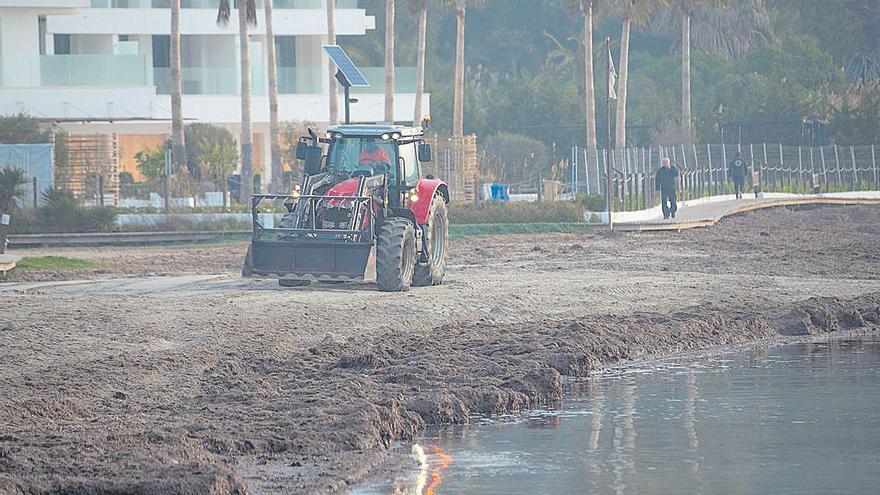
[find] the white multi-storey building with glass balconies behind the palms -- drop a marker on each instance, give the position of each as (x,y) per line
(102,66)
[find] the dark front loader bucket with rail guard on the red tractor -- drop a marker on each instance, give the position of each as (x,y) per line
(321,238)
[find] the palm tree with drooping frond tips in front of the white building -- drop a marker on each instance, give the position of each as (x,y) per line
(247,16)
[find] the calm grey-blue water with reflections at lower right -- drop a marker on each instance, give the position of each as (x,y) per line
(795,419)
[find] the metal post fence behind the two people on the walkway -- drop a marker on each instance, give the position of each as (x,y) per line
(703,170)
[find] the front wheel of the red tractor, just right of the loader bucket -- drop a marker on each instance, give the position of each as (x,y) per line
(395,255)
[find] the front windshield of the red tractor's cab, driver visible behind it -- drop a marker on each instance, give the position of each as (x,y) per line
(369,154)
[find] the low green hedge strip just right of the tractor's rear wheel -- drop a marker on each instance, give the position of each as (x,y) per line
(505,213)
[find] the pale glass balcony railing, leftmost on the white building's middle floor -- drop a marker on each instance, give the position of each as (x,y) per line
(95,70)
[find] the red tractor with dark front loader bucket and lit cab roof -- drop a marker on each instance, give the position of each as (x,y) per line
(363,212)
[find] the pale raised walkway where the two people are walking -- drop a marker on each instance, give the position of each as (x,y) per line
(709,211)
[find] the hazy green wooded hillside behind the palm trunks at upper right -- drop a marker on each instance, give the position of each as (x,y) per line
(764,64)
